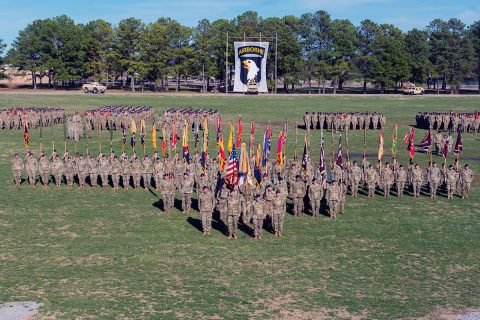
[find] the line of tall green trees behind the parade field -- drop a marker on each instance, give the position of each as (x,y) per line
(311,48)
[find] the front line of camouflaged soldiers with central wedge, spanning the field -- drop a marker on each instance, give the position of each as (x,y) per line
(256,201)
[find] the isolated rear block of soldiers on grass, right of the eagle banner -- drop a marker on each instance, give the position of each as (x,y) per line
(339,121)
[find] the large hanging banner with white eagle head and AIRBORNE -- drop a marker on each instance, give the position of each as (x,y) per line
(250,64)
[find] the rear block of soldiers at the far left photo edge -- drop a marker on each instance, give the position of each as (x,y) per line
(14,118)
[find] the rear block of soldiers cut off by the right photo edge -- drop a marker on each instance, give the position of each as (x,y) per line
(468,121)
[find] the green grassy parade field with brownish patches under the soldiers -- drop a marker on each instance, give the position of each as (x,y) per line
(115,255)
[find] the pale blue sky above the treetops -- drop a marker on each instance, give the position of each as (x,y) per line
(16,14)
